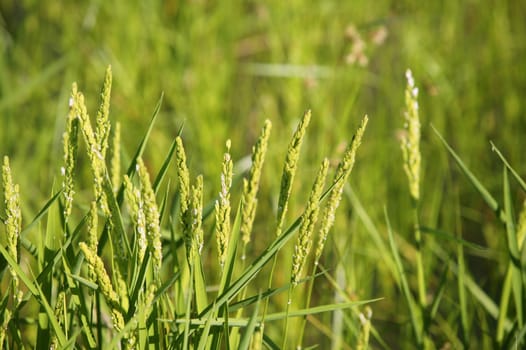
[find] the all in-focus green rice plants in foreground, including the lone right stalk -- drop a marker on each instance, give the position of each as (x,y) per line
(137,275)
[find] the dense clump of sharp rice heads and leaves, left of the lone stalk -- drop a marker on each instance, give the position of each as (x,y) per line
(112,275)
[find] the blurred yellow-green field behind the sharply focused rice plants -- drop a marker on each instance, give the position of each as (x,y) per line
(225,66)
